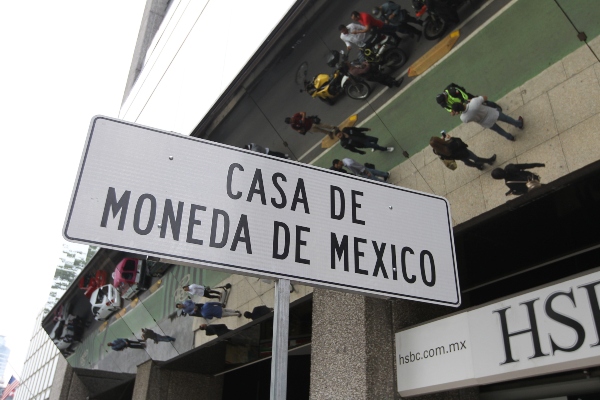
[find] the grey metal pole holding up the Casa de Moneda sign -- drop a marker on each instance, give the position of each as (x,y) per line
(279,352)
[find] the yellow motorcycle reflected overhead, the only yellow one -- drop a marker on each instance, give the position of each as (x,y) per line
(327,87)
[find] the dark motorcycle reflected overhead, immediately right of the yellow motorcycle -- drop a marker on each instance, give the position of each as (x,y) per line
(382,50)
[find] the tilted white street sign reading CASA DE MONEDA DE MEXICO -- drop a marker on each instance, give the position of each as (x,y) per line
(158,193)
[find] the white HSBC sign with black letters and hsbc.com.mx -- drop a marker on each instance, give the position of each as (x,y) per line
(553,329)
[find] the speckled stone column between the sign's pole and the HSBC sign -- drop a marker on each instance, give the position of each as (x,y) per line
(352,347)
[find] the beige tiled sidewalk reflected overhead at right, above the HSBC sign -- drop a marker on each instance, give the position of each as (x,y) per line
(561,108)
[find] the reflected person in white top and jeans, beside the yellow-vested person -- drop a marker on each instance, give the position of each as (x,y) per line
(476,111)
